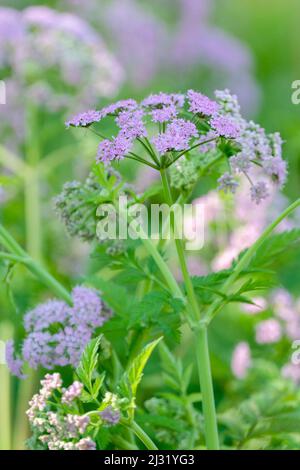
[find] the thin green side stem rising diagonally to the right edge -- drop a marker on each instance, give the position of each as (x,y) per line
(246,258)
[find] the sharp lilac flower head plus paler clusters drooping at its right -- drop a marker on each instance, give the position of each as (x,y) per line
(187,122)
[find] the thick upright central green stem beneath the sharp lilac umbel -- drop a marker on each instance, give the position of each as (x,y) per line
(204,368)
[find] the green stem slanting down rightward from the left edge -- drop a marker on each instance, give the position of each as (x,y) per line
(38,270)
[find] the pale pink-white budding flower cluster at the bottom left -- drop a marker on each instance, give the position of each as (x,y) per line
(59,429)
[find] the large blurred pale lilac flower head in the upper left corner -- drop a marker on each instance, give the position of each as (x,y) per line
(37,40)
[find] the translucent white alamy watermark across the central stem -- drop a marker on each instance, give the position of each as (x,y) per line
(123,221)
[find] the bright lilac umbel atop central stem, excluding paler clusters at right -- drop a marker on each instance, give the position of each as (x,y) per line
(168,109)
